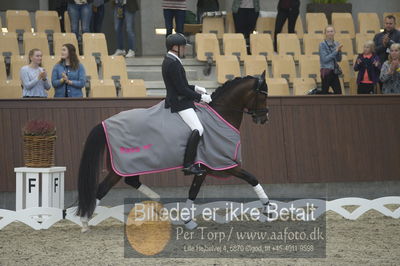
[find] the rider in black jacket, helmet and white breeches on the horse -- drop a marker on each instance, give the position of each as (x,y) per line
(180,98)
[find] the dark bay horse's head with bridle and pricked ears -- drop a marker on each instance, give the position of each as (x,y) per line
(256,102)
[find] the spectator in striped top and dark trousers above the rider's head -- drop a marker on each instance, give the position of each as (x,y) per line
(174,9)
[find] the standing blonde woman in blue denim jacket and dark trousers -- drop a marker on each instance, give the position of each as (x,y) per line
(330,52)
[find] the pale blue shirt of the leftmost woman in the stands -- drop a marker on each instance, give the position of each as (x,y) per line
(32,86)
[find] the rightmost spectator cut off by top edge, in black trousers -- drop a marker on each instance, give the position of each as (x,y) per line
(287,10)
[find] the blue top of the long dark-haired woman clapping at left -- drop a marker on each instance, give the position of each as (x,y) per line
(78,78)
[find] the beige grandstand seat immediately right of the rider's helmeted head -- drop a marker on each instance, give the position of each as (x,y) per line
(206,46)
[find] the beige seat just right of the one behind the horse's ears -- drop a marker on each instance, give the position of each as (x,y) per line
(283,67)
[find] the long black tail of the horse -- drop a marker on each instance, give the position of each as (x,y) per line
(89,171)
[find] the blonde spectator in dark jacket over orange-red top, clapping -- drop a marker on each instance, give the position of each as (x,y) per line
(367,65)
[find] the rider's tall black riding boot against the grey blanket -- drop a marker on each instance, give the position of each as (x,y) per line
(190,155)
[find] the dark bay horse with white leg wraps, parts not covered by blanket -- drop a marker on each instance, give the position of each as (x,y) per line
(240,96)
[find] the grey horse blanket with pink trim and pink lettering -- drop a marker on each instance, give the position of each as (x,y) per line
(144,141)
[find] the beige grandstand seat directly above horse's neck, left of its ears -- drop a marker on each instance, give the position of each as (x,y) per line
(227,68)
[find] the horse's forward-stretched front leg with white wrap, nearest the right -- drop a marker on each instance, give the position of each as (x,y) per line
(252,180)
